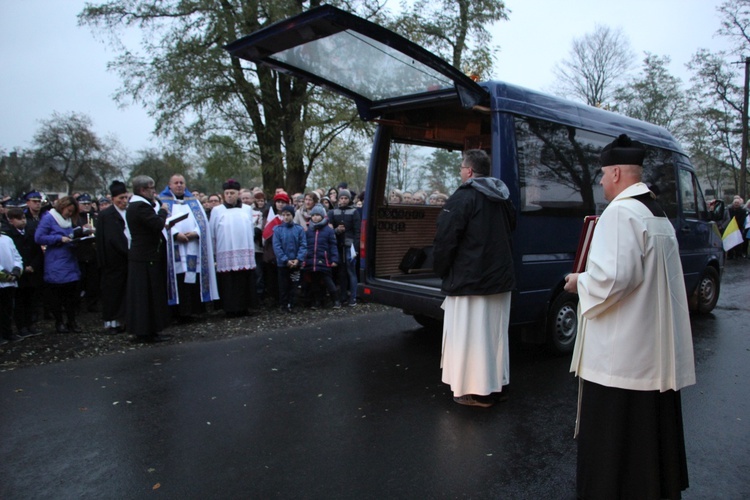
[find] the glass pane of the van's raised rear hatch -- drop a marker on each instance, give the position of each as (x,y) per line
(363,65)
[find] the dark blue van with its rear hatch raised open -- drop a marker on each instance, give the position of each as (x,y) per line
(544,148)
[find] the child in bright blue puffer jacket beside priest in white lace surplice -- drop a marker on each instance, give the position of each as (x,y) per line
(290,247)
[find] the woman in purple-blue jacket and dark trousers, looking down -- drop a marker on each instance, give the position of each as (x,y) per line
(61,271)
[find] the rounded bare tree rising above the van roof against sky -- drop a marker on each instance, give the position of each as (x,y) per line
(595,64)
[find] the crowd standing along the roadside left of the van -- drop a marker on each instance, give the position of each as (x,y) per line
(144,259)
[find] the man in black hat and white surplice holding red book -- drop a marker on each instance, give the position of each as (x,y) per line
(634,349)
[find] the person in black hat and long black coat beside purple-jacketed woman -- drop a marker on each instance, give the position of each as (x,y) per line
(112,256)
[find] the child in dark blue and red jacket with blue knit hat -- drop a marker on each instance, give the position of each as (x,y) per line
(322,255)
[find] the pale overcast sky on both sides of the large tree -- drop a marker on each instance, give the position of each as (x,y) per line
(48,63)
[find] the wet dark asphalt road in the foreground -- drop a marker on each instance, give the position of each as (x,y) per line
(350,409)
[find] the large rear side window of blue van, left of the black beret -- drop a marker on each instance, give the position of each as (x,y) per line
(558,168)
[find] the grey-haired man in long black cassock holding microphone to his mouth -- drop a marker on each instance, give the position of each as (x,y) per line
(147,311)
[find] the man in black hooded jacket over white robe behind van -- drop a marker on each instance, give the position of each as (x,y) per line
(472,255)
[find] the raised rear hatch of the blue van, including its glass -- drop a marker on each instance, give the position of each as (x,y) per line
(372,65)
